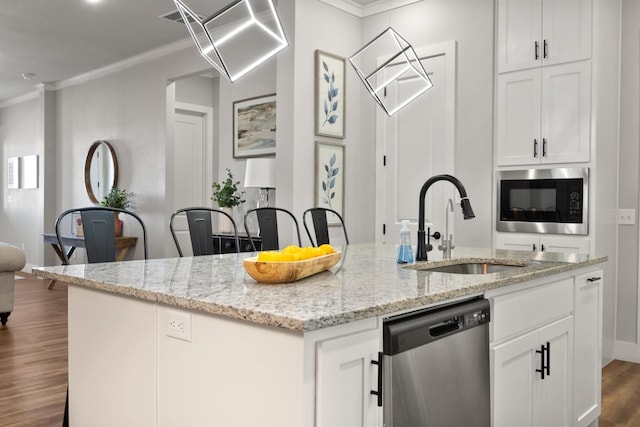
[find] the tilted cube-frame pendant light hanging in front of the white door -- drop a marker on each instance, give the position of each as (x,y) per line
(395,60)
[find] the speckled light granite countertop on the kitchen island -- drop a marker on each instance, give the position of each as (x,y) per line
(367,282)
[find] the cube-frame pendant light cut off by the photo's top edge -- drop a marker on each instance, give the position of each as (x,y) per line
(239,37)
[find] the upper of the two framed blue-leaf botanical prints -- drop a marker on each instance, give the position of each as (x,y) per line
(330,95)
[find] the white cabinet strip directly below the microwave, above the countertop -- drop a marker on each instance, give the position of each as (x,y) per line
(545,242)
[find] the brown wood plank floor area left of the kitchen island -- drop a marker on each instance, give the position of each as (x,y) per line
(33,356)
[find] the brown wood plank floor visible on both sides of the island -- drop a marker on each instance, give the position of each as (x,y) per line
(33,364)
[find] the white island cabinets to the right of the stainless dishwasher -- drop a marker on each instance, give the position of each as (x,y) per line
(546,352)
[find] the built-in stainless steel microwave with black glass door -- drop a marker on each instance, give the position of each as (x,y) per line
(544,201)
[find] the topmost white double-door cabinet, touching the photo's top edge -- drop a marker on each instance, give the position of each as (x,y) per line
(532,33)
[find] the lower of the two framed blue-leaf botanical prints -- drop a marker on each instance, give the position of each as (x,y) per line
(329,178)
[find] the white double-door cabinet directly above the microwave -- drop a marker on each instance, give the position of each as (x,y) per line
(544,114)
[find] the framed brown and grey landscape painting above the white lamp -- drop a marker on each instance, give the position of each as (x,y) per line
(254,127)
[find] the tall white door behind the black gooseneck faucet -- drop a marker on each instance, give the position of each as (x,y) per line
(417,143)
